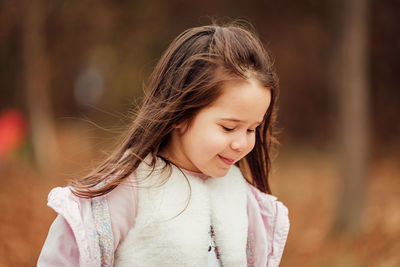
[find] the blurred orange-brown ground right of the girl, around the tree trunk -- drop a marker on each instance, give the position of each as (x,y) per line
(308,183)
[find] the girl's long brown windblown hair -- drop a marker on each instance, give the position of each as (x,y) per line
(189,77)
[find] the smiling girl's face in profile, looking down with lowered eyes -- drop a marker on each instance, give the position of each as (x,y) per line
(221,133)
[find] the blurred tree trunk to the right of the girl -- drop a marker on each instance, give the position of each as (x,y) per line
(350,81)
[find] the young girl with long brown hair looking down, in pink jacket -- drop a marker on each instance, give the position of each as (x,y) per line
(189,184)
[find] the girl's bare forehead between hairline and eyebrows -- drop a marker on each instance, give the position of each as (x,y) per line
(242,100)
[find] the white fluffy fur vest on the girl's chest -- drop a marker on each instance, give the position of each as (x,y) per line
(173,220)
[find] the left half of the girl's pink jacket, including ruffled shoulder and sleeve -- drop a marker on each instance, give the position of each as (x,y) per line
(71,240)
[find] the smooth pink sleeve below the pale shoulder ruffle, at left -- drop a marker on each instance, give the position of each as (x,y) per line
(60,247)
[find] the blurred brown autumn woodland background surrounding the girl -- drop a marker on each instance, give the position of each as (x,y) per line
(71,72)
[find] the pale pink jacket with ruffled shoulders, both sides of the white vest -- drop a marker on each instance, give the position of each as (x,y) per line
(73,238)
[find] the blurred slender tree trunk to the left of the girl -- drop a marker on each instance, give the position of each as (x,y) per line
(36,82)
